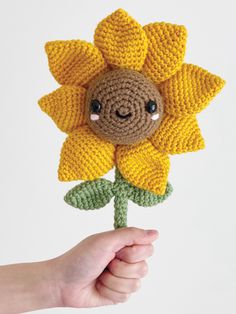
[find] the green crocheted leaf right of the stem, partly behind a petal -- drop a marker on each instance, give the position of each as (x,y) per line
(146,198)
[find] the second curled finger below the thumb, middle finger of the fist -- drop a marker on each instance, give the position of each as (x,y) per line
(126,270)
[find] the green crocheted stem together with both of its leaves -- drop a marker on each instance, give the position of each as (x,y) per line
(95,194)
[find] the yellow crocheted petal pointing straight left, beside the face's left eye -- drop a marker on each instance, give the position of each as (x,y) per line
(66,106)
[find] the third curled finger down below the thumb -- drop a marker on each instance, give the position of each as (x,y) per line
(121,285)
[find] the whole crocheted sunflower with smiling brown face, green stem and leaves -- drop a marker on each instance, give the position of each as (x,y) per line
(127,101)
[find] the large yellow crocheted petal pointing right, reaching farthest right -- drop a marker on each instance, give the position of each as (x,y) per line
(190,90)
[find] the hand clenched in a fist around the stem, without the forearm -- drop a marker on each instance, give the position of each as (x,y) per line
(104,268)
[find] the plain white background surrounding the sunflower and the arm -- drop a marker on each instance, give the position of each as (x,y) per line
(193,268)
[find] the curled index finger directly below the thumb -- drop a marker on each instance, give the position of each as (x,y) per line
(135,253)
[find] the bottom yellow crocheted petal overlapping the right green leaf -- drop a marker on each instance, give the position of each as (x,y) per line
(143,166)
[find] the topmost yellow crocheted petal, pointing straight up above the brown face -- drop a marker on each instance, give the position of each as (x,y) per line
(121,40)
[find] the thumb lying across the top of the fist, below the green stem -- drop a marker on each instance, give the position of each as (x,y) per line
(117,239)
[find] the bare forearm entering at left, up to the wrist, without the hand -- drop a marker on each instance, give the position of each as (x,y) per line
(28,286)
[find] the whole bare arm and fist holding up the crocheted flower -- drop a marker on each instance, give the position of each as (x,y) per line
(103,269)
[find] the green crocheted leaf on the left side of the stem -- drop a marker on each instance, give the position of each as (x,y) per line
(90,194)
